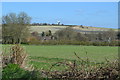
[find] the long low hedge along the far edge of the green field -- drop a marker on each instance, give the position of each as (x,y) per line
(69,42)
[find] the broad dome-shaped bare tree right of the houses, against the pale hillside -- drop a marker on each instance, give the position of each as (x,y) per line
(70,34)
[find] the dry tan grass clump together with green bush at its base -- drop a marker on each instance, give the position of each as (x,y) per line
(15,66)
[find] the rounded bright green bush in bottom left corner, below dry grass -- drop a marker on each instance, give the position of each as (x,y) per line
(13,71)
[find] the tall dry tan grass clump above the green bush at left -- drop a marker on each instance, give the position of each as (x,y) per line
(17,56)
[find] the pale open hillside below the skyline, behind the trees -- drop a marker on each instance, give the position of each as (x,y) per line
(83,29)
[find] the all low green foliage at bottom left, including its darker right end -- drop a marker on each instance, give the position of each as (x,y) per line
(14,72)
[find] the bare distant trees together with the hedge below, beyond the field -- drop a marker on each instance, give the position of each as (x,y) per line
(69,36)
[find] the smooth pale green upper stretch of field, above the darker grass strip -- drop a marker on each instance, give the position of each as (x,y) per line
(67,51)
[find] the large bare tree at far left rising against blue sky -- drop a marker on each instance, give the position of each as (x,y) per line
(15,26)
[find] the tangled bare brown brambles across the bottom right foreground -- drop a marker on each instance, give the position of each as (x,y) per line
(86,70)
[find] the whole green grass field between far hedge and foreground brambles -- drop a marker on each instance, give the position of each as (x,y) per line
(44,56)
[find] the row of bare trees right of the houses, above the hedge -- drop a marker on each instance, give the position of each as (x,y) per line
(71,34)
